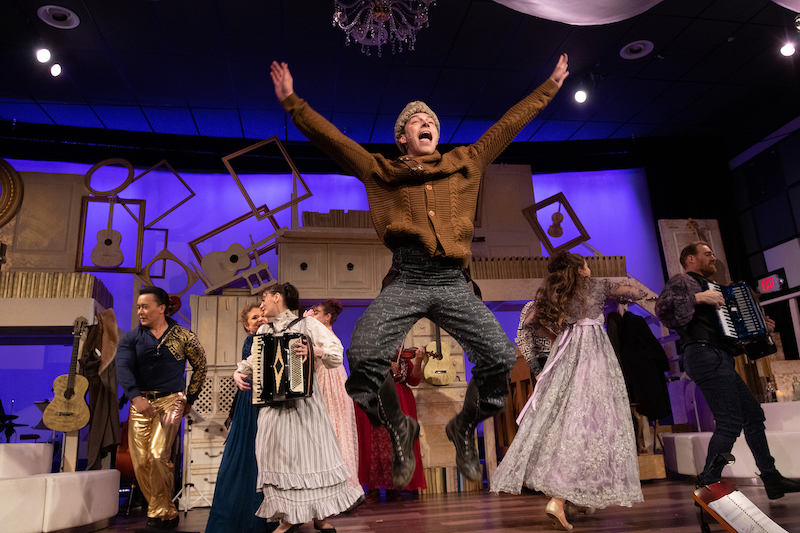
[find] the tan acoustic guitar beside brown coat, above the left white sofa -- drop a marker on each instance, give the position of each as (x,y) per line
(69,411)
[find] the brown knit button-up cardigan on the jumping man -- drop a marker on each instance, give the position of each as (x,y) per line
(429,200)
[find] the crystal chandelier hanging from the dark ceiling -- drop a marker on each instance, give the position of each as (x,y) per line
(378,22)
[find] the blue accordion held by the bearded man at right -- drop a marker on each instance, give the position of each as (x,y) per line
(741,318)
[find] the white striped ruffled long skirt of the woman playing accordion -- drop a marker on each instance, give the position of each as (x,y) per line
(300,467)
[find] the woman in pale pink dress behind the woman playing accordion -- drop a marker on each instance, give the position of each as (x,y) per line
(330,381)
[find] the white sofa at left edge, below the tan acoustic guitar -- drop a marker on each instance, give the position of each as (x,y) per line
(33,500)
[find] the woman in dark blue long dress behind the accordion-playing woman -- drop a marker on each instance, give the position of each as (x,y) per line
(235,496)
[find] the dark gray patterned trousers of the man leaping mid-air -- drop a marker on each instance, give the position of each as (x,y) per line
(426,287)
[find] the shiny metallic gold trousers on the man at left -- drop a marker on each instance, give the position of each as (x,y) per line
(150,439)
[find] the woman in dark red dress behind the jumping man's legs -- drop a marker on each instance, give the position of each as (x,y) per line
(375,448)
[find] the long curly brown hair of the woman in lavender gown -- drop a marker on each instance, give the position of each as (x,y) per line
(558,288)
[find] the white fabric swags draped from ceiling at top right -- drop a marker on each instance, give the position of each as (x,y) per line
(595,12)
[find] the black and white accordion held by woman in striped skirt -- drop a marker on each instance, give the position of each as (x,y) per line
(279,374)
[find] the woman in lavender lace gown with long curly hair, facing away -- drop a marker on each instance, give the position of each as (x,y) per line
(575,439)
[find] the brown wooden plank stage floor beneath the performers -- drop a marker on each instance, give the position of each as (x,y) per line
(668,507)
